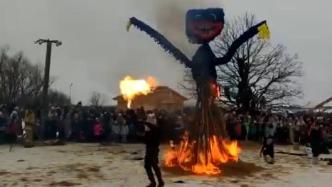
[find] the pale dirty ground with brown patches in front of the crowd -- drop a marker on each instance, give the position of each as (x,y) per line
(121,165)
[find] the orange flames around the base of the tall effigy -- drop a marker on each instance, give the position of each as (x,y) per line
(206,161)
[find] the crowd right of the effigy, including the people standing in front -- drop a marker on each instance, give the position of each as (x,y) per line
(312,131)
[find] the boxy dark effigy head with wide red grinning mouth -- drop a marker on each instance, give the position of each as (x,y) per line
(203,25)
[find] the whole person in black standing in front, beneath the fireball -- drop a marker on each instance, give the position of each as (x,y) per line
(152,142)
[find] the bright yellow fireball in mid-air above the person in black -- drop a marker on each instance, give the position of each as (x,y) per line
(131,88)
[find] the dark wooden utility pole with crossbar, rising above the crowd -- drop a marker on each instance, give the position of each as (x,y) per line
(46,73)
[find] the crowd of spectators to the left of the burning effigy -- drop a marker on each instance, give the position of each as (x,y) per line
(83,124)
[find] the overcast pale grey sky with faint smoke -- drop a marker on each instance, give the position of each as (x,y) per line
(97,51)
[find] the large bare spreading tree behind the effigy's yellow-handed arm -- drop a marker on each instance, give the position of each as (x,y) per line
(261,74)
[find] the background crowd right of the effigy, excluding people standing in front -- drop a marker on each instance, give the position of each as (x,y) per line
(291,129)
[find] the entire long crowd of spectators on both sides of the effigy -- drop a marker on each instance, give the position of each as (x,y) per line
(93,124)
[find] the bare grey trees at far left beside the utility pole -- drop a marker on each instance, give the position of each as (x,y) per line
(20,81)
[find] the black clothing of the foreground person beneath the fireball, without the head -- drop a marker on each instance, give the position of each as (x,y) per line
(152,142)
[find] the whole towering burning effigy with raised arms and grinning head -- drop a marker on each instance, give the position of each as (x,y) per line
(205,146)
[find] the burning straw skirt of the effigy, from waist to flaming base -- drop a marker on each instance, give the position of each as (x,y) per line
(204,148)
